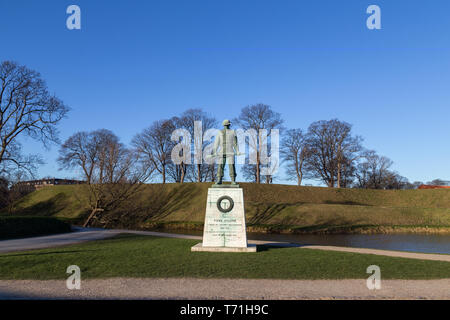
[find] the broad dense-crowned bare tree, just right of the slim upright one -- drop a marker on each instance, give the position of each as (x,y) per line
(332,150)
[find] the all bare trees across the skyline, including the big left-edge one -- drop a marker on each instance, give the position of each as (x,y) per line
(327,151)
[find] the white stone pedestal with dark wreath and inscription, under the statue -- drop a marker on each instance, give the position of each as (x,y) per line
(224,229)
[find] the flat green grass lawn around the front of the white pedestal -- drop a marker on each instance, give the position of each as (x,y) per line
(147,256)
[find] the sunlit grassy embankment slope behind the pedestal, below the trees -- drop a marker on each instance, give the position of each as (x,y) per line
(269,208)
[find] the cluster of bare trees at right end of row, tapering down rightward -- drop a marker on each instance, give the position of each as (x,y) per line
(330,153)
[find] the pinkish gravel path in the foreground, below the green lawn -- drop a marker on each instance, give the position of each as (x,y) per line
(188,288)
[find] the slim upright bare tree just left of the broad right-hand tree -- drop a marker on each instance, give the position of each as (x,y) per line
(294,150)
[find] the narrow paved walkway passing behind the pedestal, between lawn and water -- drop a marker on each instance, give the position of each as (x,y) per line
(90,234)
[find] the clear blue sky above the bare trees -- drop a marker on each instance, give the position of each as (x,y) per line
(134,62)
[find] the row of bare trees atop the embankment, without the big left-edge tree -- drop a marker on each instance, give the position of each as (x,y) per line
(327,151)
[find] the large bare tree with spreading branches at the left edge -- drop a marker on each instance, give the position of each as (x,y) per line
(26,109)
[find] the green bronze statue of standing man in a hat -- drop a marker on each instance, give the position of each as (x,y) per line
(226,139)
